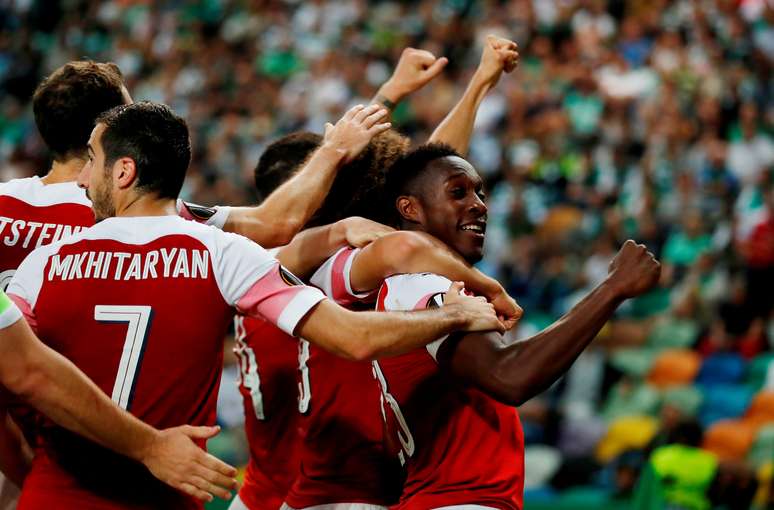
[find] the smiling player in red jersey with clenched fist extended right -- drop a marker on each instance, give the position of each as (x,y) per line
(448,407)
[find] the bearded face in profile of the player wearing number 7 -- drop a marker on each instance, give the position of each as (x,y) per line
(96,179)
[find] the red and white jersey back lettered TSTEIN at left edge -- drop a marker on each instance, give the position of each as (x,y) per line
(33,214)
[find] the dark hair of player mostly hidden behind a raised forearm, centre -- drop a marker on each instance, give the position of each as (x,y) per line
(281,159)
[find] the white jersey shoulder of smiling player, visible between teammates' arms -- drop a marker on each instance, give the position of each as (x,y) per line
(411,291)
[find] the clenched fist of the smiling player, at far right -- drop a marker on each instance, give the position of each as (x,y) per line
(634,270)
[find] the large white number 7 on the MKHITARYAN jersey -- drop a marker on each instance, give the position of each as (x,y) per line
(138,319)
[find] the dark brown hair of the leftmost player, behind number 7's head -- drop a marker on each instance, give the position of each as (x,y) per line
(67,103)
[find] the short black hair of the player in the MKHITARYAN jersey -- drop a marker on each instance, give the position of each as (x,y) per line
(155,138)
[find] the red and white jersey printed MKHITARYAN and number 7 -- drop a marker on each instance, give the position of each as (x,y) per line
(141,305)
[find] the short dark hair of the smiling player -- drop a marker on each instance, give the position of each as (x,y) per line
(406,174)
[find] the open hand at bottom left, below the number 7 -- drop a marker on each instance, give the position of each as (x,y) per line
(176,460)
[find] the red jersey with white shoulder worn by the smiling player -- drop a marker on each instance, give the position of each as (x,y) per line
(459,446)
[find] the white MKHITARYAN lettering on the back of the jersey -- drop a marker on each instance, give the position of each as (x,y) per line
(125,266)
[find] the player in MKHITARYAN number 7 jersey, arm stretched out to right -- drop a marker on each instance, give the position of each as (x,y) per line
(157,292)
